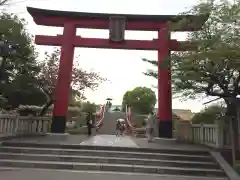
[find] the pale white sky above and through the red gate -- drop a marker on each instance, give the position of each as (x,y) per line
(123,68)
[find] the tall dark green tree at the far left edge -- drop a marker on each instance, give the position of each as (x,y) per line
(18,73)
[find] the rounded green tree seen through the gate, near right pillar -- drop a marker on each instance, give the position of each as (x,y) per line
(141,99)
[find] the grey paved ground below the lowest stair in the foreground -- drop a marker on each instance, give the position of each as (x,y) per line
(29,174)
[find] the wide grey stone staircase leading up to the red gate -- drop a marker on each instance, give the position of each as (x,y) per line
(16,154)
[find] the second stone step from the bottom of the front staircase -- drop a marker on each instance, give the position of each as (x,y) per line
(109,160)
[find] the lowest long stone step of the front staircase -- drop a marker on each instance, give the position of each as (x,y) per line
(112,167)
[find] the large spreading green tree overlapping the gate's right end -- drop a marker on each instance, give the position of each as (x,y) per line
(214,69)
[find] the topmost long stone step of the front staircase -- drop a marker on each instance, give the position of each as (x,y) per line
(112,148)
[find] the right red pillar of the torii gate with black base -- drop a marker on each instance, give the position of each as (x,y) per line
(164,111)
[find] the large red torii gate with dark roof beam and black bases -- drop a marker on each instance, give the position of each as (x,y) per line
(68,40)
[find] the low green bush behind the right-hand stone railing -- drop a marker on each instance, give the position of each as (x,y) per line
(209,115)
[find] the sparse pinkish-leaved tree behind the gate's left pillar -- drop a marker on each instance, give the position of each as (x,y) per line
(81,79)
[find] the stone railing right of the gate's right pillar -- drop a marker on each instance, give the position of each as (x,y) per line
(213,135)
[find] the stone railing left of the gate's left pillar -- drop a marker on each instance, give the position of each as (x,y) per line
(14,124)
